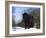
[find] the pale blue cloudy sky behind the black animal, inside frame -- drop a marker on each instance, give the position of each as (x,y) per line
(18,11)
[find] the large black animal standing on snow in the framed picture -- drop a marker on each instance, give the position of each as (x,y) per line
(29,20)
